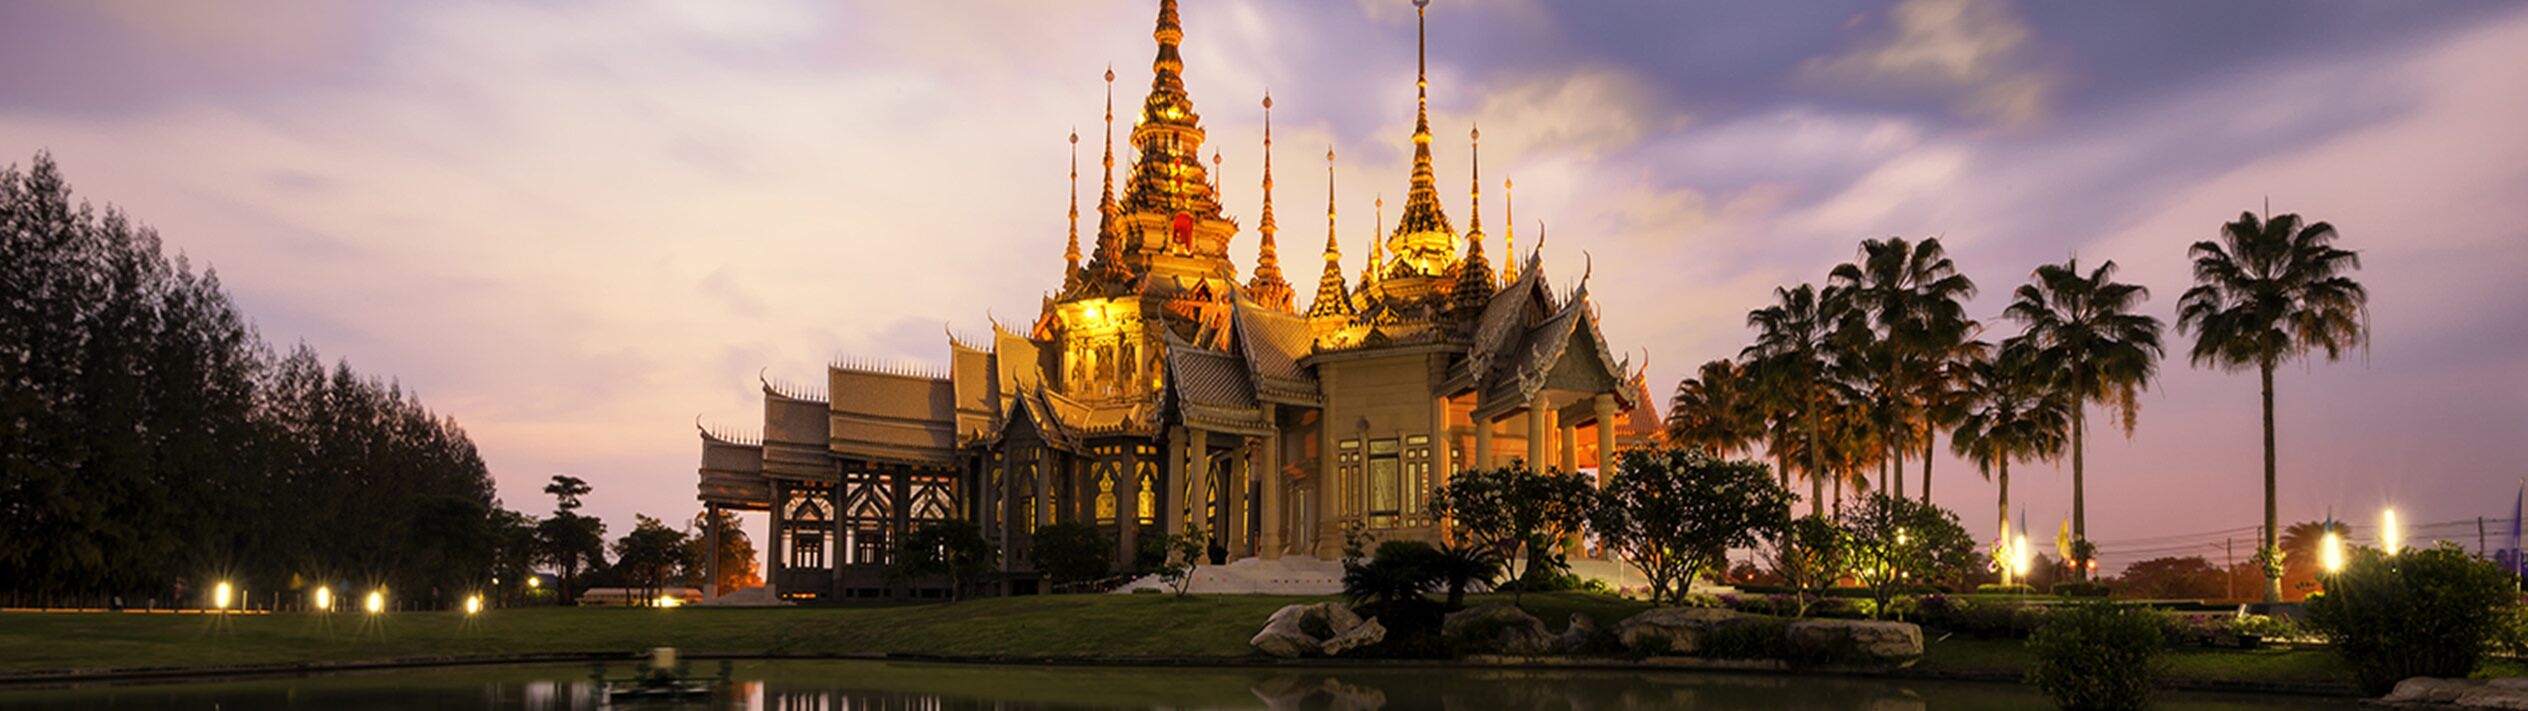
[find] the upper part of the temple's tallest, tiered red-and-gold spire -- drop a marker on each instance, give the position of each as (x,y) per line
(1169,135)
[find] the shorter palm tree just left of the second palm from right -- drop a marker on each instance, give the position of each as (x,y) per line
(2008,416)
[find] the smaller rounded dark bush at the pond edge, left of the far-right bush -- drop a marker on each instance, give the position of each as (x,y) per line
(2097,657)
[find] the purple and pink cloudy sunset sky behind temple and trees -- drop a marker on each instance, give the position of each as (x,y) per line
(585,226)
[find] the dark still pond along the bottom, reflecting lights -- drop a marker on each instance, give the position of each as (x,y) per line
(932,687)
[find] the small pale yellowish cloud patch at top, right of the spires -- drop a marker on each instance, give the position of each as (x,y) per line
(1966,49)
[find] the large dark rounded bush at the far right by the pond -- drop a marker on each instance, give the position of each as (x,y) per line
(2418,614)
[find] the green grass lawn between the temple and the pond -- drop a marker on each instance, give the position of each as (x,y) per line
(1060,626)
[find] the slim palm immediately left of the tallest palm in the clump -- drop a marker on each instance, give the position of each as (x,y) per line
(1794,338)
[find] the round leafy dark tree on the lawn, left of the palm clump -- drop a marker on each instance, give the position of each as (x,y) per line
(1677,515)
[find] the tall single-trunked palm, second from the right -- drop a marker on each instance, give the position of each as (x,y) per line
(2087,335)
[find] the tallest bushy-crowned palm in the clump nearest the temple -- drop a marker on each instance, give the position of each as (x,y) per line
(1917,305)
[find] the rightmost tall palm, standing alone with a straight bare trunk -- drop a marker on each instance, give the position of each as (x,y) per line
(2264,295)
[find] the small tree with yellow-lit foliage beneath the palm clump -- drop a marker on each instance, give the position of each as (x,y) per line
(1895,543)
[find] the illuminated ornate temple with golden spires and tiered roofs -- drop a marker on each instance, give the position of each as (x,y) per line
(1159,393)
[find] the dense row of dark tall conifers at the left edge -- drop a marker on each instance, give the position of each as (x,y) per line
(150,439)
